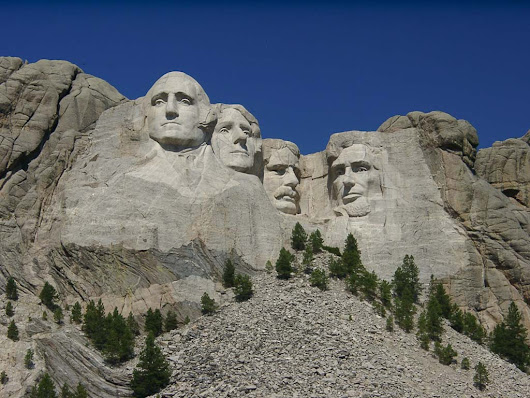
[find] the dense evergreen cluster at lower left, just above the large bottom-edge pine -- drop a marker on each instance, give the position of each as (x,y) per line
(109,333)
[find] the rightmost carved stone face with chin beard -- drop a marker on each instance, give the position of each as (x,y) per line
(354,180)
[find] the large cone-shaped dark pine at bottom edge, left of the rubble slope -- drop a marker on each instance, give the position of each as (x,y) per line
(152,373)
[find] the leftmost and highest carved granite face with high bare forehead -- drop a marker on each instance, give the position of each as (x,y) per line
(174,111)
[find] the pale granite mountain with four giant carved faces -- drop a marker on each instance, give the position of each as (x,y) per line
(140,202)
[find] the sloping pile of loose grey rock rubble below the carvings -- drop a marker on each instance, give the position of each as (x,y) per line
(293,340)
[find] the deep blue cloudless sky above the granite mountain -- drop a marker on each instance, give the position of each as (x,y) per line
(304,71)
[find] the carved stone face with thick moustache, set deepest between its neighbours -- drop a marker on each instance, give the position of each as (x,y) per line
(280,179)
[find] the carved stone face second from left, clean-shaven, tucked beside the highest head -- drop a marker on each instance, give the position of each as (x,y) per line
(233,141)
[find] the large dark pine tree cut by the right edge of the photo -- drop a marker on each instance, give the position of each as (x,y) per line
(508,339)
